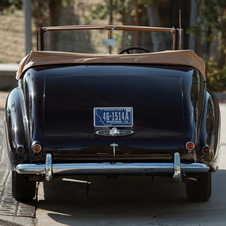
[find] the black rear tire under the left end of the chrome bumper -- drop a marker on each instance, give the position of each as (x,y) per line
(22,189)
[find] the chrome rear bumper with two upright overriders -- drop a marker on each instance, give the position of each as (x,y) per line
(49,169)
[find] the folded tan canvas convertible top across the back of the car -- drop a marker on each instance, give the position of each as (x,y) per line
(174,57)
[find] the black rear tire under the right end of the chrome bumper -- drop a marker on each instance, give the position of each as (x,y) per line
(199,191)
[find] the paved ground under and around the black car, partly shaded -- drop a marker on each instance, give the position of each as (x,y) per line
(124,201)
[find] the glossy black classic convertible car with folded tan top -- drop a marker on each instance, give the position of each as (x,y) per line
(105,104)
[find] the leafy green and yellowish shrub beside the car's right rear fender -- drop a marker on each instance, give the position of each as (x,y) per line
(215,78)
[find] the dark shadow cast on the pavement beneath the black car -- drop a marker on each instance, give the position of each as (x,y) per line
(130,200)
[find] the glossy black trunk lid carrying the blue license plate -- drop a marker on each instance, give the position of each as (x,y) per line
(153,95)
